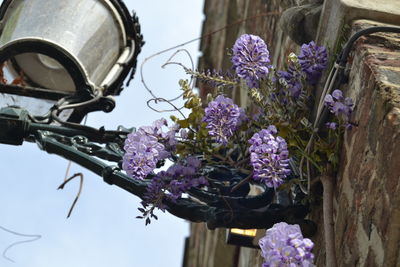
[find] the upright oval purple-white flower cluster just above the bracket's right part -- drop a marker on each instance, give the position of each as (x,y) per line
(269,157)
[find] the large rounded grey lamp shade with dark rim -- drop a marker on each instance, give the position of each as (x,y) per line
(70,46)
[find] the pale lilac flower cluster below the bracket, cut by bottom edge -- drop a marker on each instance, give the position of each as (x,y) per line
(283,245)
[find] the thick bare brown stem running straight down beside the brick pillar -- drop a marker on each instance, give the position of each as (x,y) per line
(329,230)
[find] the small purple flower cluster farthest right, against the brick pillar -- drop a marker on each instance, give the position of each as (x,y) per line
(338,105)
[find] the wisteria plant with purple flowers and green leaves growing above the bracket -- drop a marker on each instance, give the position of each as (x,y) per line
(267,142)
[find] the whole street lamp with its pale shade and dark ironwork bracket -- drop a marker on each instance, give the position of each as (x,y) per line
(76,53)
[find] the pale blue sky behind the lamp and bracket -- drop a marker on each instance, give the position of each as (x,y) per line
(103,230)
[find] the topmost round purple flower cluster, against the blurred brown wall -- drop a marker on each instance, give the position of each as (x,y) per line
(250,59)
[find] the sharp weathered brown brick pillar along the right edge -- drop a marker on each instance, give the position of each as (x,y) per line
(368,185)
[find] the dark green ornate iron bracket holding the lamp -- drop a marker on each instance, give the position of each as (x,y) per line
(89,148)
